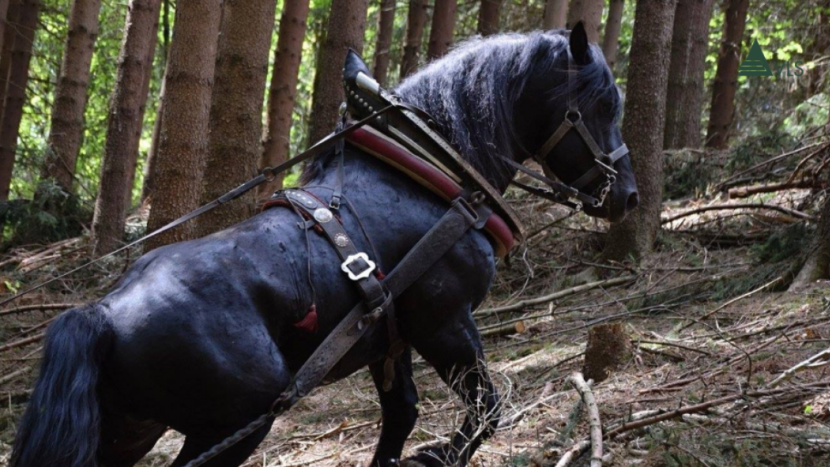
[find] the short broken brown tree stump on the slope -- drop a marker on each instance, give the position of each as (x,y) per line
(609,347)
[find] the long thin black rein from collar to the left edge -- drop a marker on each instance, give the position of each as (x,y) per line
(267,174)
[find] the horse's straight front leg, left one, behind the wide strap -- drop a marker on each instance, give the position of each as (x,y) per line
(398,408)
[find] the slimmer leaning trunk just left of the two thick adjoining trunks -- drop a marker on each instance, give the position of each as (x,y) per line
(135,61)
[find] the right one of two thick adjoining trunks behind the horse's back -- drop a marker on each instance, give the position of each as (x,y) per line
(235,137)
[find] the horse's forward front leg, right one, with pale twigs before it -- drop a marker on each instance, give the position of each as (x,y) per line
(457,355)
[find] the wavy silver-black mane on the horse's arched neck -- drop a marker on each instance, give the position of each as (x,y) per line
(471,92)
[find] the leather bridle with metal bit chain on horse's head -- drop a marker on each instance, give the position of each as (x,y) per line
(603,163)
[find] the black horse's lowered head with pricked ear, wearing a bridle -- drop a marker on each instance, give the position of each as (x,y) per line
(577,86)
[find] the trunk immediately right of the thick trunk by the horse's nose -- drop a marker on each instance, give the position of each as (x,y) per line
(683,73)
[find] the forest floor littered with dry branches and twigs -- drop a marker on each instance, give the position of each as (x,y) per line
(708,315)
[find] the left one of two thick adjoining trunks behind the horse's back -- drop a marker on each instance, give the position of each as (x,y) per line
(179,165)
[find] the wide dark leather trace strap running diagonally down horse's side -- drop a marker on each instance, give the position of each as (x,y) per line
(429,249)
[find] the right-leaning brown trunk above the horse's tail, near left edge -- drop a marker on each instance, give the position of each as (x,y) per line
(66,133)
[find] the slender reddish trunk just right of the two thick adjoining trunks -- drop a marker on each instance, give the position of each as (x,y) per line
(283,93)
